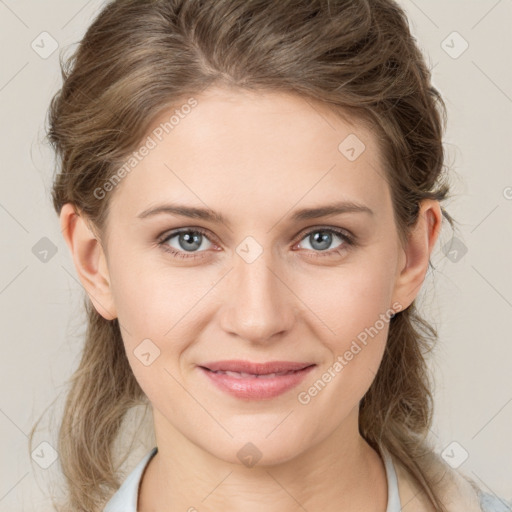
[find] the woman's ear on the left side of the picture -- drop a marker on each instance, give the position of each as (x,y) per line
(89,258)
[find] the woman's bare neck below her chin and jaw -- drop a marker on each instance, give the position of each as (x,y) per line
(333,475)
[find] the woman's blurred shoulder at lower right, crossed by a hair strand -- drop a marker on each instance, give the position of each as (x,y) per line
(457,491)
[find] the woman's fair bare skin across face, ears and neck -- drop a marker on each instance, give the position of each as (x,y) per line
(255,158)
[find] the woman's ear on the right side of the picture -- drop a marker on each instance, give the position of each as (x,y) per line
(420,243)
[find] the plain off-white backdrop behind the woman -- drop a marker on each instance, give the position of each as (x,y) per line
(468,296)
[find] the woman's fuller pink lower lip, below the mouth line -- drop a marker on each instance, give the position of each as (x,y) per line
(257,388)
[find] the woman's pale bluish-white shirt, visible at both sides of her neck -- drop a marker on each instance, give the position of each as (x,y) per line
(126,497)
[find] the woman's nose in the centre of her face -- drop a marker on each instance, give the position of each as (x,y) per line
(260,306)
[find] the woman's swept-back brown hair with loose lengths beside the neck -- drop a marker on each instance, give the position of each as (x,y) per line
(141,57)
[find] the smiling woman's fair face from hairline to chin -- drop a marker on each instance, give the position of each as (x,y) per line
(265,284)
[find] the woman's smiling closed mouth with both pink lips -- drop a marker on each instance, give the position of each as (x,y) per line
(255,381)
